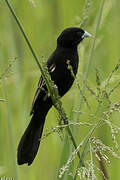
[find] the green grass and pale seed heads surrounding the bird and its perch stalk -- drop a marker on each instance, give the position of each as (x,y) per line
(96,129)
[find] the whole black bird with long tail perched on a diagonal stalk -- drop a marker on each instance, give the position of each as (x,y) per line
(65,52)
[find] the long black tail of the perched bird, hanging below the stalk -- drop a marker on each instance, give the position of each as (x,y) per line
(30,141)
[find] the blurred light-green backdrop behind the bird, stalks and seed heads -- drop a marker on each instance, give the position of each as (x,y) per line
(43,21)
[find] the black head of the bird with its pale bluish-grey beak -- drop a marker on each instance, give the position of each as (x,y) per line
(71,37)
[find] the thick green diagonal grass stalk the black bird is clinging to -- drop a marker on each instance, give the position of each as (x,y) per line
(50,89)
